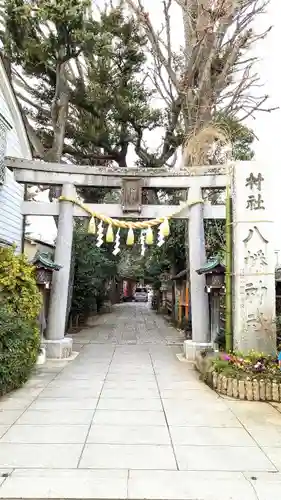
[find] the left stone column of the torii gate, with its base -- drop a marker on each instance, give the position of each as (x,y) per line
(56,345)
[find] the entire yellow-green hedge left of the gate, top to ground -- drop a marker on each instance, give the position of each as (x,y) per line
(20,303)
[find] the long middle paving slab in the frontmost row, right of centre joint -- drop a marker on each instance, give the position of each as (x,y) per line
(179,485)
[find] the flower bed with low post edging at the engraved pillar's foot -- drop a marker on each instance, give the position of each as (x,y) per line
(254,377)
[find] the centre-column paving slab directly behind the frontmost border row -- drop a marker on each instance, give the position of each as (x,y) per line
(115,456)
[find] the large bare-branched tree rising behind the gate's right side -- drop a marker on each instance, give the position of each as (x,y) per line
(215,72)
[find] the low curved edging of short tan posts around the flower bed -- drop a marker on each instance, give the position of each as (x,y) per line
(250,390)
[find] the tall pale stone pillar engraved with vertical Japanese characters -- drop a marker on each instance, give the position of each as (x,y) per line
(253,259)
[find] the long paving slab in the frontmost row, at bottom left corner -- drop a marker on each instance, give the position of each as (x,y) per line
(74,484)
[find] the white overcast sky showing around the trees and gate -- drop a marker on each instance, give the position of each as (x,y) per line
(265,125)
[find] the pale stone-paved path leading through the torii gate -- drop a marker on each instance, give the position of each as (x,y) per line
(126,419)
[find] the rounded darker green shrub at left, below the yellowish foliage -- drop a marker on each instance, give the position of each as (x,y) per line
(19,346)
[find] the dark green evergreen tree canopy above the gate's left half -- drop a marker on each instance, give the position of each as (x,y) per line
(79,78)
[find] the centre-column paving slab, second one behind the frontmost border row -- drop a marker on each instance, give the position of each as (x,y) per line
(130,434)
